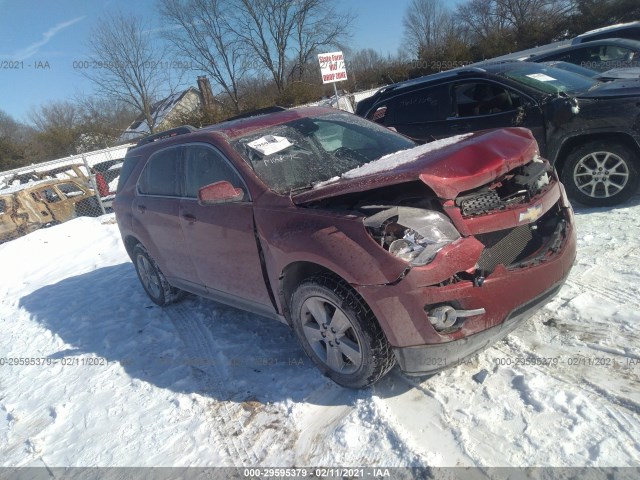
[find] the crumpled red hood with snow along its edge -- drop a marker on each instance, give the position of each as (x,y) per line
(454,166)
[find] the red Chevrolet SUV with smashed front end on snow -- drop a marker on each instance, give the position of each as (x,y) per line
(373,249)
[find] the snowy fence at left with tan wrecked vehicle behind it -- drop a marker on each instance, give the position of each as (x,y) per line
(49,193)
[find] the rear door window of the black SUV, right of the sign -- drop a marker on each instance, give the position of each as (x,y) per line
(426,105)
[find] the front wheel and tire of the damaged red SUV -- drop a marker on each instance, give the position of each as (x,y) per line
(339,333)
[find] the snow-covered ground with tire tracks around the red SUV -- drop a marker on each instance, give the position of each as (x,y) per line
(113,380)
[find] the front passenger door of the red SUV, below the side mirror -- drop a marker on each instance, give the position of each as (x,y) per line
(221,238)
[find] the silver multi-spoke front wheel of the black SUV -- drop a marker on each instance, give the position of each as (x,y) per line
(601,174)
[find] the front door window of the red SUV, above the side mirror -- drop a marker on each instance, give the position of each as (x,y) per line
(204,166)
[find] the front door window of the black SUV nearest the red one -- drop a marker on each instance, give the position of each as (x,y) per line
(483,98)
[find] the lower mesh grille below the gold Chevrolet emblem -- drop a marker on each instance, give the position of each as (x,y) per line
(503,247)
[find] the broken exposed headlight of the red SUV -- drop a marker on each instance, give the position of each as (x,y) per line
(412,234)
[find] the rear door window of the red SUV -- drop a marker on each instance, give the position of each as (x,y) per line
(161,174)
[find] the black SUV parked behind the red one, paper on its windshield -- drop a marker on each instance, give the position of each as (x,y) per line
(589,130)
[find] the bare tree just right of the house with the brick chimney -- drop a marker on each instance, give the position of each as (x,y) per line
(205,38)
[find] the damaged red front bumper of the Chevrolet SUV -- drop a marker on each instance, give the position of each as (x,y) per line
(507,295)
